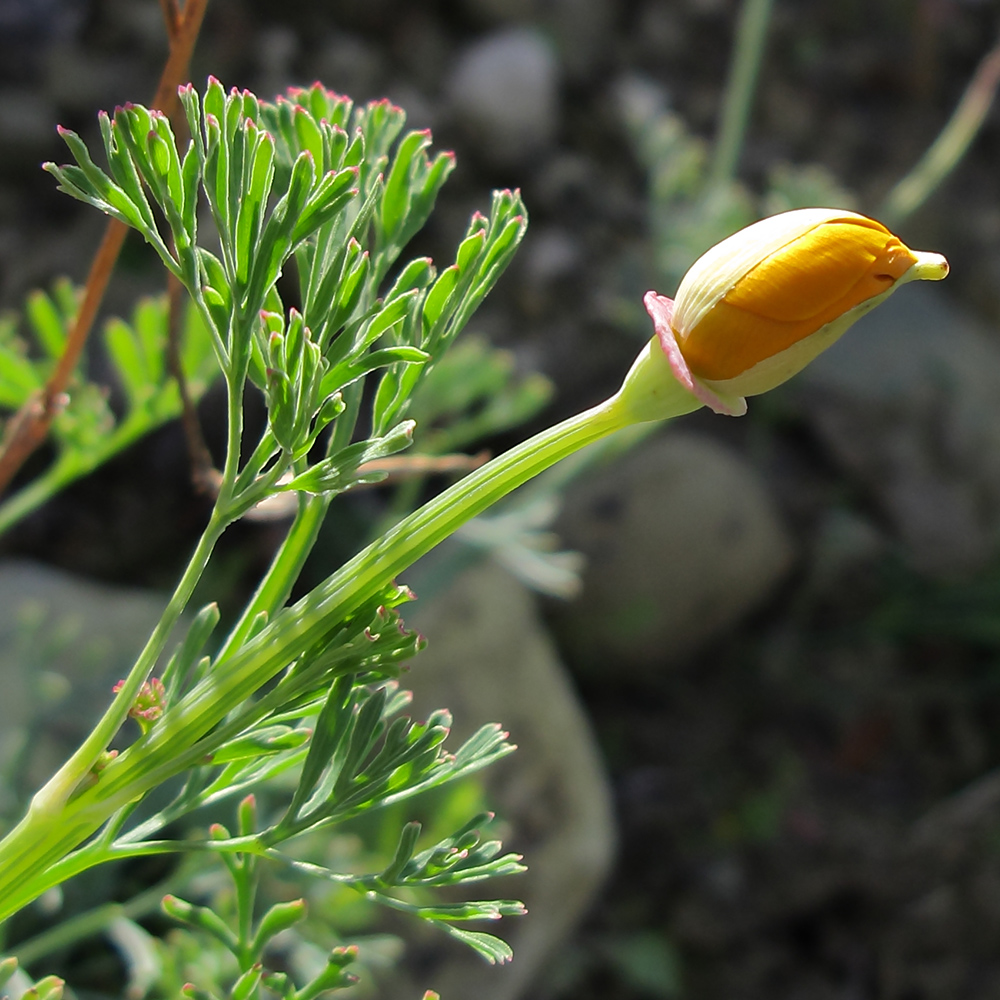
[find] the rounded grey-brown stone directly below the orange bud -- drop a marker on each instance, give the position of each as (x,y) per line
(681,540)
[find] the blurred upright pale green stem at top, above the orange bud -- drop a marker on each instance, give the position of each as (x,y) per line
(751,34)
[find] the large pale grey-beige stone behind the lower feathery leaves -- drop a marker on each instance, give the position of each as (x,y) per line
(489,659)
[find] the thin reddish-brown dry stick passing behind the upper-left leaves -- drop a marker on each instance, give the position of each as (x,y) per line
(28,428)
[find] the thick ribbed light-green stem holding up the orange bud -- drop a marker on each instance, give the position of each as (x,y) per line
(45,836)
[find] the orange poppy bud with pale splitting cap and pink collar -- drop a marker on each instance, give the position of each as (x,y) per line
(759,306)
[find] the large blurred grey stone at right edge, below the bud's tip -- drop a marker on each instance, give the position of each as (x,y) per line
(908,402)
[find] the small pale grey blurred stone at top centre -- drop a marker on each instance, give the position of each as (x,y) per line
(504,92)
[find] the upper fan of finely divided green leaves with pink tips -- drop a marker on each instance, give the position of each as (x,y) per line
(309,177)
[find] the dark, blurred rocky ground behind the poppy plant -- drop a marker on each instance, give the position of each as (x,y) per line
(788,641)
